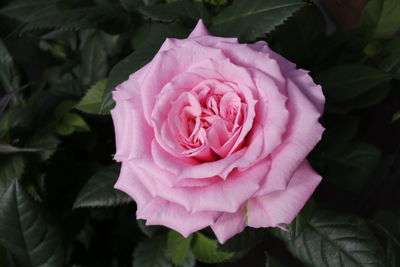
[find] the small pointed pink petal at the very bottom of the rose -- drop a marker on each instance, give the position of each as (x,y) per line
(229,224)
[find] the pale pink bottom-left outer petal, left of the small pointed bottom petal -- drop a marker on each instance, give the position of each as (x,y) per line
(162,212)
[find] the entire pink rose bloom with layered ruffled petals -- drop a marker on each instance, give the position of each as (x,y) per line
(215,133)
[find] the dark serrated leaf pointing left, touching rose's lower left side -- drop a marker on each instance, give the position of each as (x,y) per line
(99,190)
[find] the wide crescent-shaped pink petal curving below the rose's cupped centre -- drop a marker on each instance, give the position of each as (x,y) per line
(225,196)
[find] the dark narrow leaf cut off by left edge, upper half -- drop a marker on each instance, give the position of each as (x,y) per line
(9,77)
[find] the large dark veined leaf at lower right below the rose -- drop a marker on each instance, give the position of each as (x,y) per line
(334,239)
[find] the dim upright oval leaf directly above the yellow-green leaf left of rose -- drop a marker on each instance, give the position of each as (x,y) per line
(94,59)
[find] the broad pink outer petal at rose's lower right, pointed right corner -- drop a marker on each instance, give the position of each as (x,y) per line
(282,206)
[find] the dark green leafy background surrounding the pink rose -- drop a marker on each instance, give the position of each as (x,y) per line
(59,61)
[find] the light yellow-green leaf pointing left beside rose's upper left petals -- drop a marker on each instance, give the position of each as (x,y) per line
(91,102)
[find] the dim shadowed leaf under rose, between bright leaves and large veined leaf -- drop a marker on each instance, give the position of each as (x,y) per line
(245,240)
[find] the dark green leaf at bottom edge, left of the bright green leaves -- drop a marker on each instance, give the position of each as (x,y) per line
(152,253)
